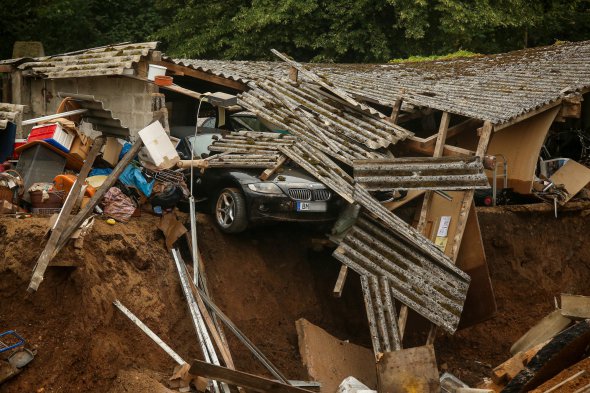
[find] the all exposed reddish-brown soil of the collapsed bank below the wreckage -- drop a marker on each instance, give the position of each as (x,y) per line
(264,280)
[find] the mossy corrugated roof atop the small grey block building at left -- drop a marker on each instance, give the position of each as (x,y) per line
(108,60)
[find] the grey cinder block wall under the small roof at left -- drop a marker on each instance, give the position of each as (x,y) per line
(129,99)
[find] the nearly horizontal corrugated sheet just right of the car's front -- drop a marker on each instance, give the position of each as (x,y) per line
(428,173)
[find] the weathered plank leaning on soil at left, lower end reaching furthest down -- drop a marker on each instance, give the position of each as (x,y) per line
(64,219)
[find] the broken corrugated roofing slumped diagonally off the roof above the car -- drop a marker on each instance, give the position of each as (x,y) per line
(338,130)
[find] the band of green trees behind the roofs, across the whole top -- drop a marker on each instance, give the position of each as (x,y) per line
(307,30)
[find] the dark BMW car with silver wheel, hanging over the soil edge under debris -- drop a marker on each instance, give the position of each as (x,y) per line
(237,197)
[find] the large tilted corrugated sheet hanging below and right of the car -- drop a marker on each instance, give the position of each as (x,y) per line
(434,291)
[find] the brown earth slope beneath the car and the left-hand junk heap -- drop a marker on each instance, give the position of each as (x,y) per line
(264,280)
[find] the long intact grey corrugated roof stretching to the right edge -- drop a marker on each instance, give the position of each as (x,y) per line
(497,88)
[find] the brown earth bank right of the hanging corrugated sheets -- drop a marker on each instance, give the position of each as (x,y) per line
(533,257)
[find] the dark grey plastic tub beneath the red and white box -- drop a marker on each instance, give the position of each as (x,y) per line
(39,164)
